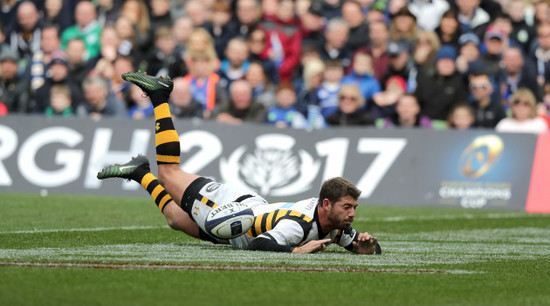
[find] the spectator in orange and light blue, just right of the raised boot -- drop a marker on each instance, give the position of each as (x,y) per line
(203,80)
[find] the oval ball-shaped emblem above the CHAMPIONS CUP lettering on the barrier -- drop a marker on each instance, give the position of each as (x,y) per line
(480,156)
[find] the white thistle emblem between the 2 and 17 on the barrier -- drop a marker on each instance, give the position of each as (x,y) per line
(273,168)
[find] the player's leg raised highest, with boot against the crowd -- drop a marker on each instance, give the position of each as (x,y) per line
(167,142)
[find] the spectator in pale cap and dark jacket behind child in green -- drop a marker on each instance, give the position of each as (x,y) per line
(57,74)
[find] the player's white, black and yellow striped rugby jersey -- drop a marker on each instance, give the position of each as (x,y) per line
(291,224)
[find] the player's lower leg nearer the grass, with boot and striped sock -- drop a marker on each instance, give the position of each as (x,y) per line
(138,170)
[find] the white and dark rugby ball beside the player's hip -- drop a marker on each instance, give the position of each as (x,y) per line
(229,220)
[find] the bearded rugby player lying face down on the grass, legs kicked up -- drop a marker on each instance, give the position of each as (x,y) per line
(186,199)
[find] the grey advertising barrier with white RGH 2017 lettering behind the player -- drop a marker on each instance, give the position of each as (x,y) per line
(471,169)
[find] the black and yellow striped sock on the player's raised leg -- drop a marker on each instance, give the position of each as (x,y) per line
(167,140)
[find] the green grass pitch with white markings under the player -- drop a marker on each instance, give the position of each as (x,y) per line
(84,250)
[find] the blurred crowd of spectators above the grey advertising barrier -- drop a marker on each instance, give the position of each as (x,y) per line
(433,64)
